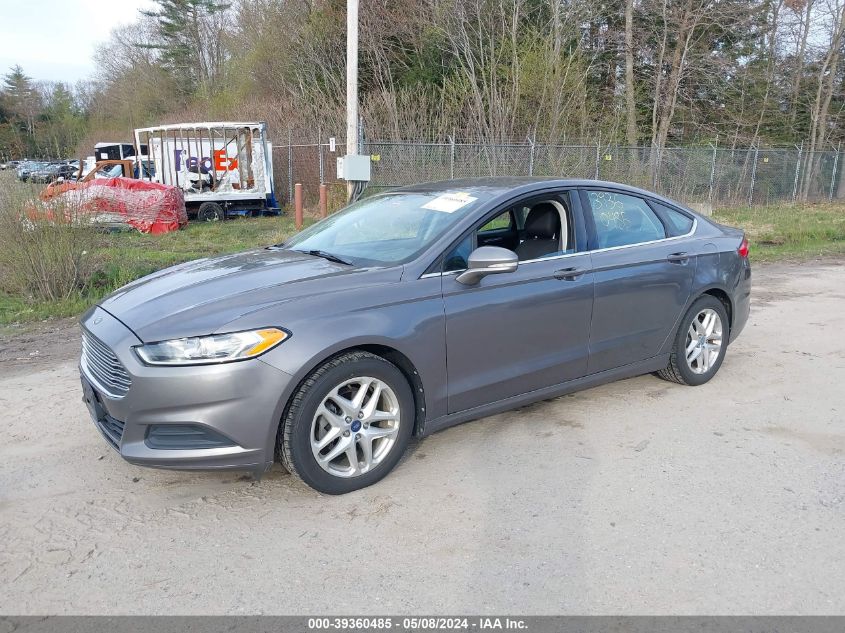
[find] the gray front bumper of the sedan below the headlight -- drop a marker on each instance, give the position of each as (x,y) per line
(238,404)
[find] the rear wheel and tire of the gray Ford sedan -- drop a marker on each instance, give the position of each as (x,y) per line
(705,363)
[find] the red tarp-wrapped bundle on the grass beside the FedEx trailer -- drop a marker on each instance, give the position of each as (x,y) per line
(147,206)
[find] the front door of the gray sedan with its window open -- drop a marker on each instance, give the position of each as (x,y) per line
(516,332)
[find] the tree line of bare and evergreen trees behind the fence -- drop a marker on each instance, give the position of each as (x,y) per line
(631,72)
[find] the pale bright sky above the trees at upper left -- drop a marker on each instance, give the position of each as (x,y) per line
(54,40)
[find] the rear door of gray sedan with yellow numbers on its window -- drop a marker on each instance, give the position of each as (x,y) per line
(642,273)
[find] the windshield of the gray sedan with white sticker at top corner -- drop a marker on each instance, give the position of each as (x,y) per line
(386,229)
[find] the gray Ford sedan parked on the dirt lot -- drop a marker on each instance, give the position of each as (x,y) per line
(404,314)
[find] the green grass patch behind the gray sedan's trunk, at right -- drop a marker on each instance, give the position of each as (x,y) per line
(791,232)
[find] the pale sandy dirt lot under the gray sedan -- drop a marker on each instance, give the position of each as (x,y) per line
(638,497)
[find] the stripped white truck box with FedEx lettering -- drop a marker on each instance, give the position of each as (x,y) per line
(223,168)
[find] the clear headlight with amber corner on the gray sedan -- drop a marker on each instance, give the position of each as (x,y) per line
(215,348)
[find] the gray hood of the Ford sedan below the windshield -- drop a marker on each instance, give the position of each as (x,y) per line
(207,295)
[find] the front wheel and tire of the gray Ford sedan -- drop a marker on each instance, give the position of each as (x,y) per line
(331,390)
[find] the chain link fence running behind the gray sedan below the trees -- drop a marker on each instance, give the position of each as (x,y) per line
(702,175)
